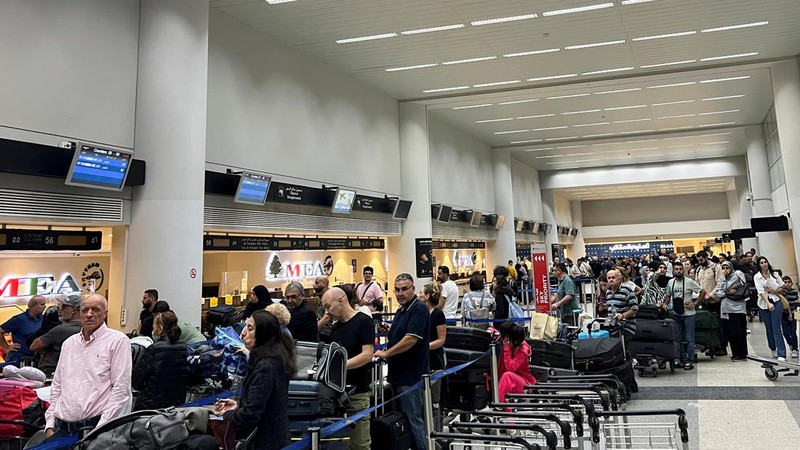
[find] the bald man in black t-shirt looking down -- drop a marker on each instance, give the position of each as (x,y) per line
(355,333)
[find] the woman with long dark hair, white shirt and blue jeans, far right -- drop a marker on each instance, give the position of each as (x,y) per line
(769,285)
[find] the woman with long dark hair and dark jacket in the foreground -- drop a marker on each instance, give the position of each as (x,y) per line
(263,408)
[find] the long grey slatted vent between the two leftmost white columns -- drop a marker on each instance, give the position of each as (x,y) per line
(228,218)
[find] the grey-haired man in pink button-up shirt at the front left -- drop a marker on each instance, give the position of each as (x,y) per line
(92,381)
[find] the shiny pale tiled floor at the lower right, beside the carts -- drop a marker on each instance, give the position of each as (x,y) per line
(729,405)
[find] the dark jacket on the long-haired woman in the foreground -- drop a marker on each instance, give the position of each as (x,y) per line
(264,404)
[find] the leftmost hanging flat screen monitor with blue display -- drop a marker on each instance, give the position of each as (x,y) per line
(99,168)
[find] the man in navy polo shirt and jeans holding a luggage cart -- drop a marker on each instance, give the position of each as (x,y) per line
(407,352)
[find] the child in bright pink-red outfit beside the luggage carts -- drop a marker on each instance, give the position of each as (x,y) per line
(513,366)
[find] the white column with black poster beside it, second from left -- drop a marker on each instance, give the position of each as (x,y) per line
(415,179)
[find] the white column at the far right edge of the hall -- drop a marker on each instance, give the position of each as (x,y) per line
(786,92)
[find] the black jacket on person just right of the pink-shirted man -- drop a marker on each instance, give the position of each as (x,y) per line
(161,376)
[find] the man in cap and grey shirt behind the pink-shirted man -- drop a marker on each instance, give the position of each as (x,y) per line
(49,344)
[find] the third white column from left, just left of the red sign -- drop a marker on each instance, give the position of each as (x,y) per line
(504,248)
